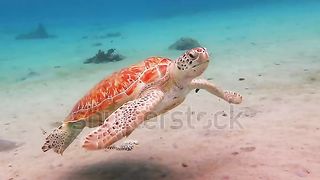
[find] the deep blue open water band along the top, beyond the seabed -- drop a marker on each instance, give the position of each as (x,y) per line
(119,11)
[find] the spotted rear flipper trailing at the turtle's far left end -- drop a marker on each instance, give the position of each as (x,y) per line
(61,137)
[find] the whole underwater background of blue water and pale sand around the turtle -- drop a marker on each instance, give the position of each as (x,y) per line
(268,50)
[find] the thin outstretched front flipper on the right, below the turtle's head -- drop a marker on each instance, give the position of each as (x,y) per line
(229,96)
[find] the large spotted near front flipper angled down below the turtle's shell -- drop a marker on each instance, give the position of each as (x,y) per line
(124,120)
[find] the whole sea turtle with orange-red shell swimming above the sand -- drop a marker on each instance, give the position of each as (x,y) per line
(123,100)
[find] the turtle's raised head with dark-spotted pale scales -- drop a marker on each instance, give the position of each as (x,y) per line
(191,64)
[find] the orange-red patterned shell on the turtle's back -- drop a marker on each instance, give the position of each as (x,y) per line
(119,87)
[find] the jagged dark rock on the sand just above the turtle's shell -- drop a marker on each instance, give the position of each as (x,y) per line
(102,57)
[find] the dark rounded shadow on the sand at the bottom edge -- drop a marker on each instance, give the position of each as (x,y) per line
(118,170)
